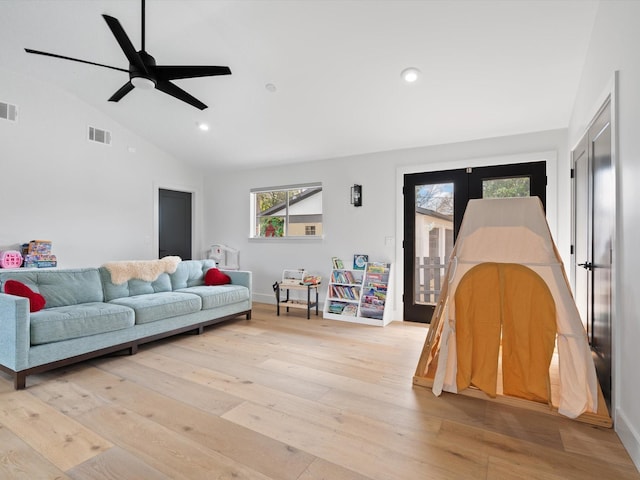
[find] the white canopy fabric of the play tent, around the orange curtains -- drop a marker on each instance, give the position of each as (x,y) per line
(515,230)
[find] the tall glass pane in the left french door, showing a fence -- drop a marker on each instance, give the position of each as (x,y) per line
(433,239)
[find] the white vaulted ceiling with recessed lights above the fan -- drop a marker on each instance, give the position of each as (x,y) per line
(489,68)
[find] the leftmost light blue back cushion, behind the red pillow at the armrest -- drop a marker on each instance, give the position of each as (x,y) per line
(61,287)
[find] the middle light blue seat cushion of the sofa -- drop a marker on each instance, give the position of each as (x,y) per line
(161,305)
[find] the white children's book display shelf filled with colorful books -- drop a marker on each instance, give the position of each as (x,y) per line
(359,296)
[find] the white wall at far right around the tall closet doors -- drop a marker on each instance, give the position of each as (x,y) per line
(613,48)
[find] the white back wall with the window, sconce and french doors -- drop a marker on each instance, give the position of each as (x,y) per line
(375,228)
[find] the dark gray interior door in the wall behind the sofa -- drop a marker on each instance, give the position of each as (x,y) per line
(174,216)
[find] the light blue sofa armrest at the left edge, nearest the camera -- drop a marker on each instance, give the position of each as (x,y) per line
(15,338)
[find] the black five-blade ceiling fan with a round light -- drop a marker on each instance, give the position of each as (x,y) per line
(143,71)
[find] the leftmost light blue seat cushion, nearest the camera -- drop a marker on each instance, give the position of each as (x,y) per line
(63,323)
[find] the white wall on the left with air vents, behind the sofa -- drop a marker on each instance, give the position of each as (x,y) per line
(94,202)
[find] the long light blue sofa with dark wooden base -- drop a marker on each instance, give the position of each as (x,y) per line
(87,316)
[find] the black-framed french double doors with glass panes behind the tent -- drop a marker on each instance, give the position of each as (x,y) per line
(434,204)
